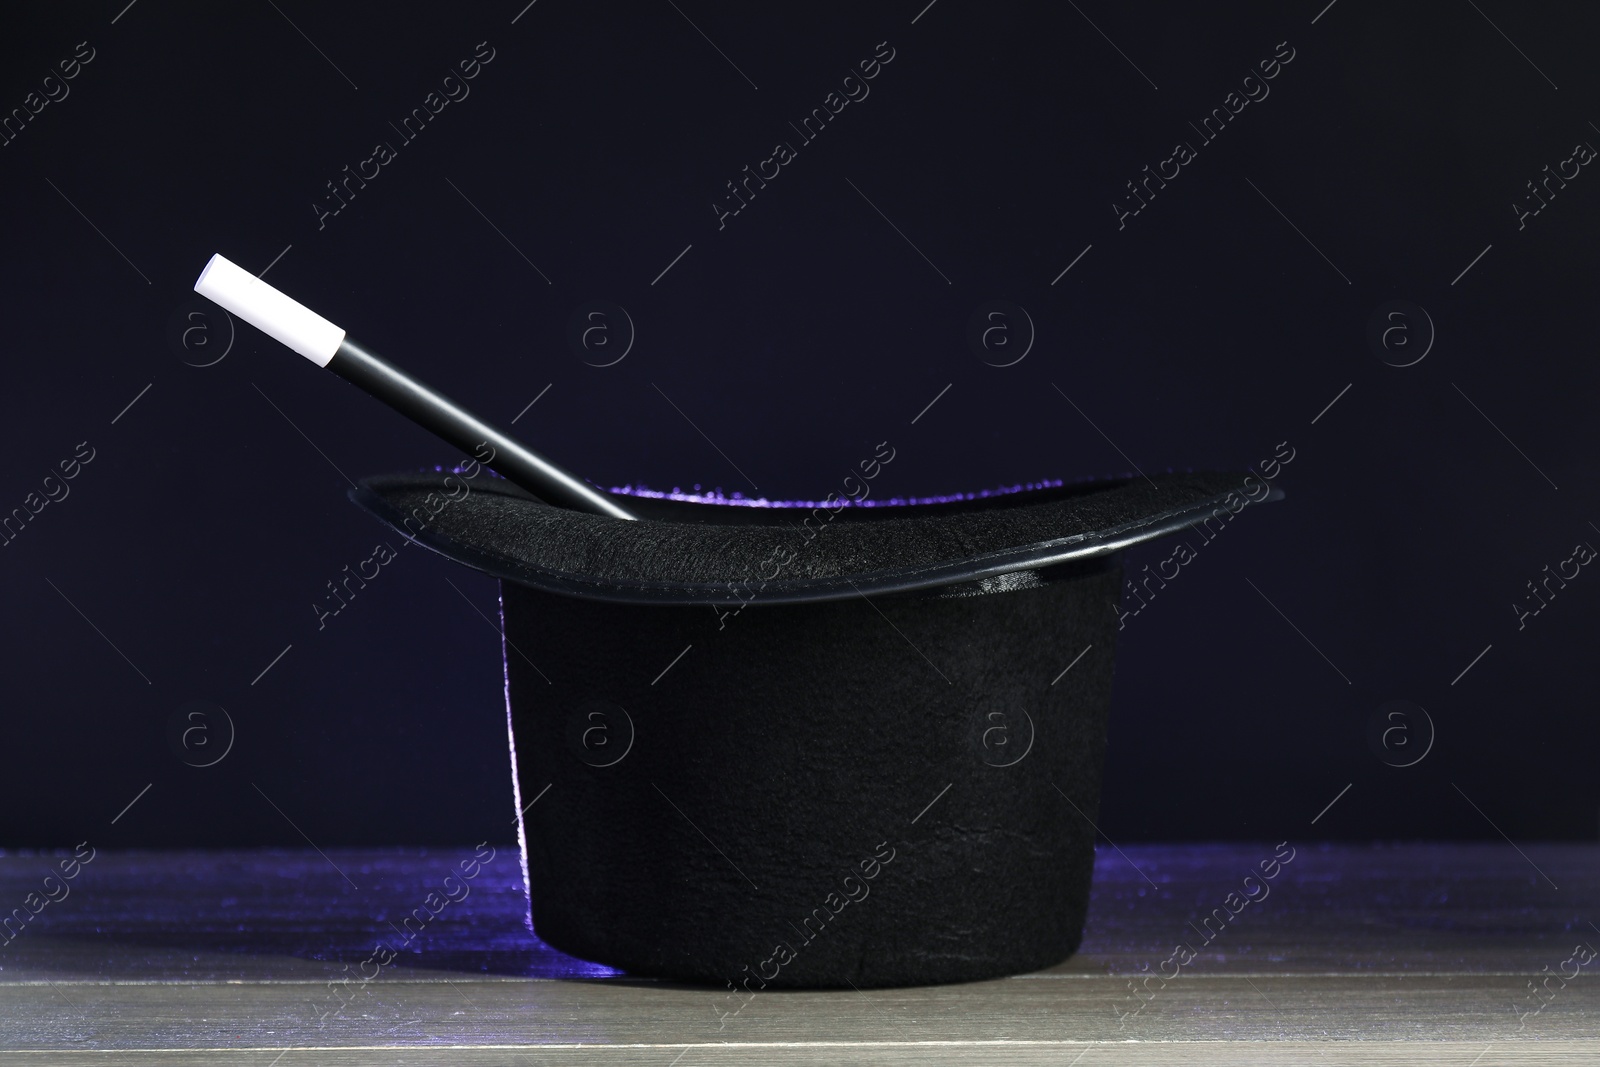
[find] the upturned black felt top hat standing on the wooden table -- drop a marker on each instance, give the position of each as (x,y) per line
(737,721)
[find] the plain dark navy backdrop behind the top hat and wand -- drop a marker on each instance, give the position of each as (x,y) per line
(1202,335)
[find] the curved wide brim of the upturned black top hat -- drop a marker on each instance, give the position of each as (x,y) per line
(724,554)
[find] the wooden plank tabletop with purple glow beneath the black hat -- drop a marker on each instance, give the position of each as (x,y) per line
(1406,954)
